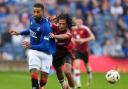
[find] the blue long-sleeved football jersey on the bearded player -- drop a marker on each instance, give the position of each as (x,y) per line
(39,36)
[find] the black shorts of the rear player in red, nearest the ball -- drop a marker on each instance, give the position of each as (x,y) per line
(81,55)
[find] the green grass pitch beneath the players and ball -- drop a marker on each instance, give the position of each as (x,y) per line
(21,80)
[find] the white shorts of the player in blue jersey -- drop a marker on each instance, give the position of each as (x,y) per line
(39,60)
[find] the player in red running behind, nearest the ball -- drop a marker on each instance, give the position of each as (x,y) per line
(81,36)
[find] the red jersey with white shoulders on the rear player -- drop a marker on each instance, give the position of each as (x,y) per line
(81,32)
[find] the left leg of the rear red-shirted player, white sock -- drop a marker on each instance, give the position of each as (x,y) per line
(76,72)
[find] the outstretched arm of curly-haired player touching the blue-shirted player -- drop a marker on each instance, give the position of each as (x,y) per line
(61,36)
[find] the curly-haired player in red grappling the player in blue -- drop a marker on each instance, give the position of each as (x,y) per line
(61,33)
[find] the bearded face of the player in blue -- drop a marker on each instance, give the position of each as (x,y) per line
(37,13)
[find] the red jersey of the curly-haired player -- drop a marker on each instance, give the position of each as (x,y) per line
(63,43)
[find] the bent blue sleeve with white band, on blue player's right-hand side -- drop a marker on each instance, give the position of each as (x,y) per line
(45,44)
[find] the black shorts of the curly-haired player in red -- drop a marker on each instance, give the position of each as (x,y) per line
(59,58)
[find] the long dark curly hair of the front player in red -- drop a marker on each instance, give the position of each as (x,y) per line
(66,17)
